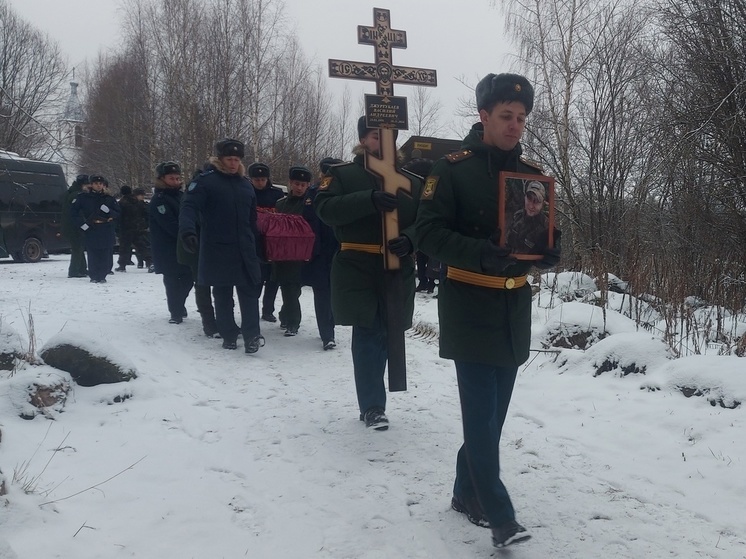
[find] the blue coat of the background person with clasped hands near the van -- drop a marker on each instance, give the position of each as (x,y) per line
(87,210)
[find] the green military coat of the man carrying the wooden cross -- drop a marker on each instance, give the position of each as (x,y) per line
(357,278)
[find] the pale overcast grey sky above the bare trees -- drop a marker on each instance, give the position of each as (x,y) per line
(459,40)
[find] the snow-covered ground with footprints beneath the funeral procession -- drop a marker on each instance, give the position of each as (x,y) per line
(219,454)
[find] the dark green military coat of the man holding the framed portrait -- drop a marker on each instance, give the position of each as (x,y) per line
(457,215)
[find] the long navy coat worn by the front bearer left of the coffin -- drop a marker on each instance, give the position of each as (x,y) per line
(224,206)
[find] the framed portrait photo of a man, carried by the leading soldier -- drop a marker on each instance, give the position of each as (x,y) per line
(526,214)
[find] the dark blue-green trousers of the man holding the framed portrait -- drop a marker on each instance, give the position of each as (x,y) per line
(485,392)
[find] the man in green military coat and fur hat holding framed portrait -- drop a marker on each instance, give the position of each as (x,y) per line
(484,304)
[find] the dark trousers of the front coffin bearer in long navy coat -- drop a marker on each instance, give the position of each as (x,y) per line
(248,302)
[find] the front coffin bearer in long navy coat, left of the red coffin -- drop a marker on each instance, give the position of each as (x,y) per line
(222,202)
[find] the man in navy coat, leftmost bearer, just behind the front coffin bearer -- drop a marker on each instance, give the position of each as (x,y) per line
(164,233)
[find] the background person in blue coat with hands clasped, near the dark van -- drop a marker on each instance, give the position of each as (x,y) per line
(95,212)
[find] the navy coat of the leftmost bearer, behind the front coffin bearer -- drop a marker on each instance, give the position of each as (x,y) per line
(164,230)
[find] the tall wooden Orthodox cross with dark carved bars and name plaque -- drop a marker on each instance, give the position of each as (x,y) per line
(388,113)
